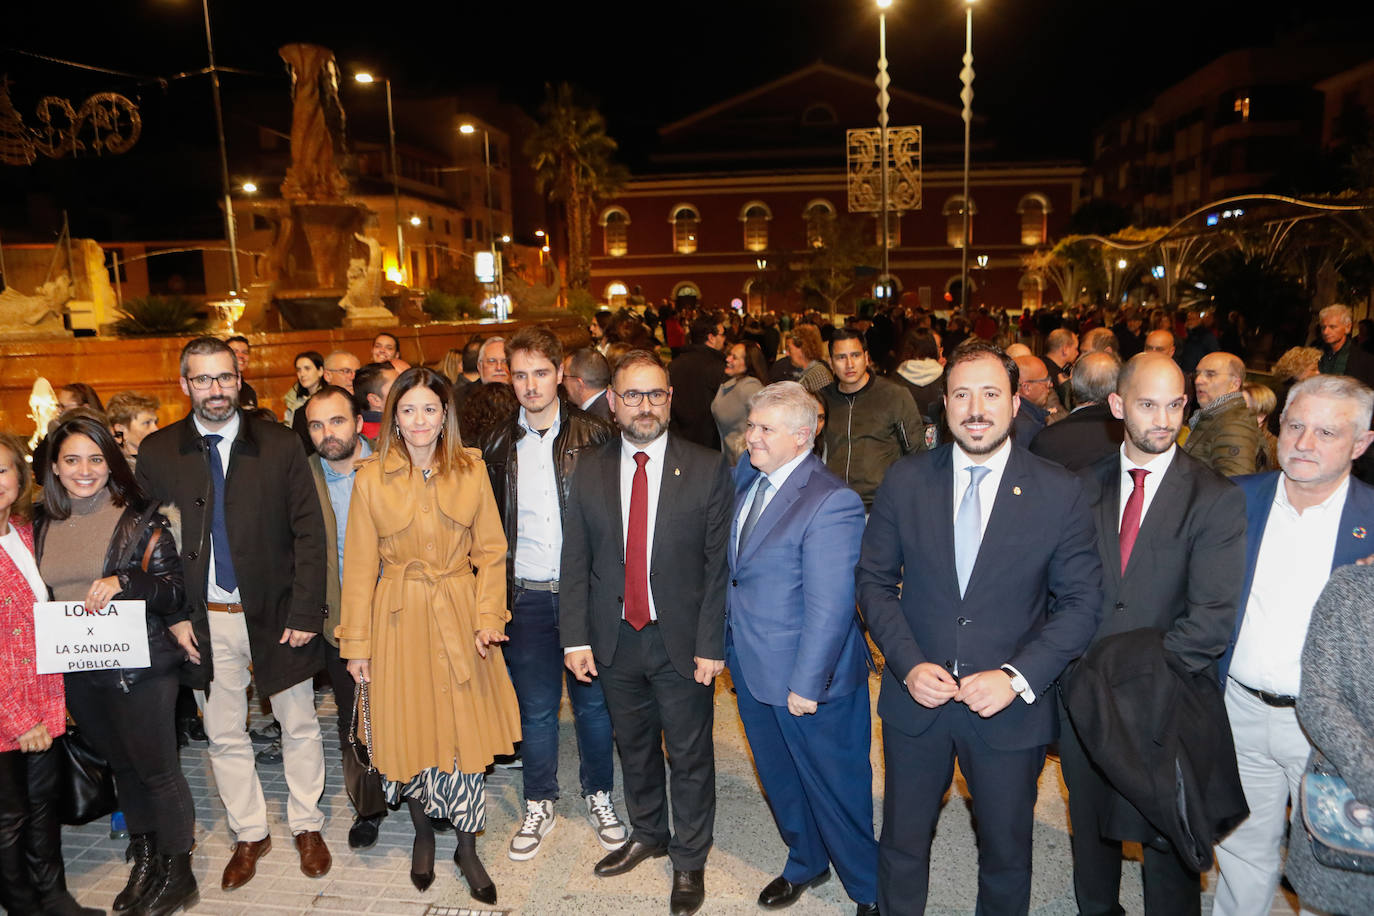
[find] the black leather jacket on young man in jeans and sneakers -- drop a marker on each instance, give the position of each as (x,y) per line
(578,431)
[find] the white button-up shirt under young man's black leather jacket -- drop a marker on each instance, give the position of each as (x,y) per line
(539,528)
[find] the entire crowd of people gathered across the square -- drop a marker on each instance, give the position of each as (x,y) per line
(1078,532)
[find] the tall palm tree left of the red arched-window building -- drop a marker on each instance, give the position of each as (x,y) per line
(572,159)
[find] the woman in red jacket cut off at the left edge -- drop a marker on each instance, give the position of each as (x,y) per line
(32,715)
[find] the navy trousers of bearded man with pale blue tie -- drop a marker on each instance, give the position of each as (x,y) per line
(1002,785)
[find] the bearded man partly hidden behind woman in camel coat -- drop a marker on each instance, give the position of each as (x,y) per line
(336,426)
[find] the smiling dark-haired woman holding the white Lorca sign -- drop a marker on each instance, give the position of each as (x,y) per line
(100,539)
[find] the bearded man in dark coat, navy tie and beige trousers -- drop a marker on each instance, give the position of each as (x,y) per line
(254,549)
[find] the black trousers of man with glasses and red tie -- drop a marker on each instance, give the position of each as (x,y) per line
(653,708)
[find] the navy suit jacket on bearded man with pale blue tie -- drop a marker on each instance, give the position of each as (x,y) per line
(1034,598)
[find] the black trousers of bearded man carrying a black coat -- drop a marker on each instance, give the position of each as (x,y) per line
(1171,888)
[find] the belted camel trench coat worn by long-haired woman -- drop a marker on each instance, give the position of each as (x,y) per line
(424,571)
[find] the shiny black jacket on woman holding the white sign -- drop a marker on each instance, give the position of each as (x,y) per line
(160,587)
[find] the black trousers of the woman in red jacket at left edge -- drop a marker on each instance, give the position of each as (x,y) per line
(31,833)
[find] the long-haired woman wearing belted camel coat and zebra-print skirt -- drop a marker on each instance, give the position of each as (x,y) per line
(427,634)
